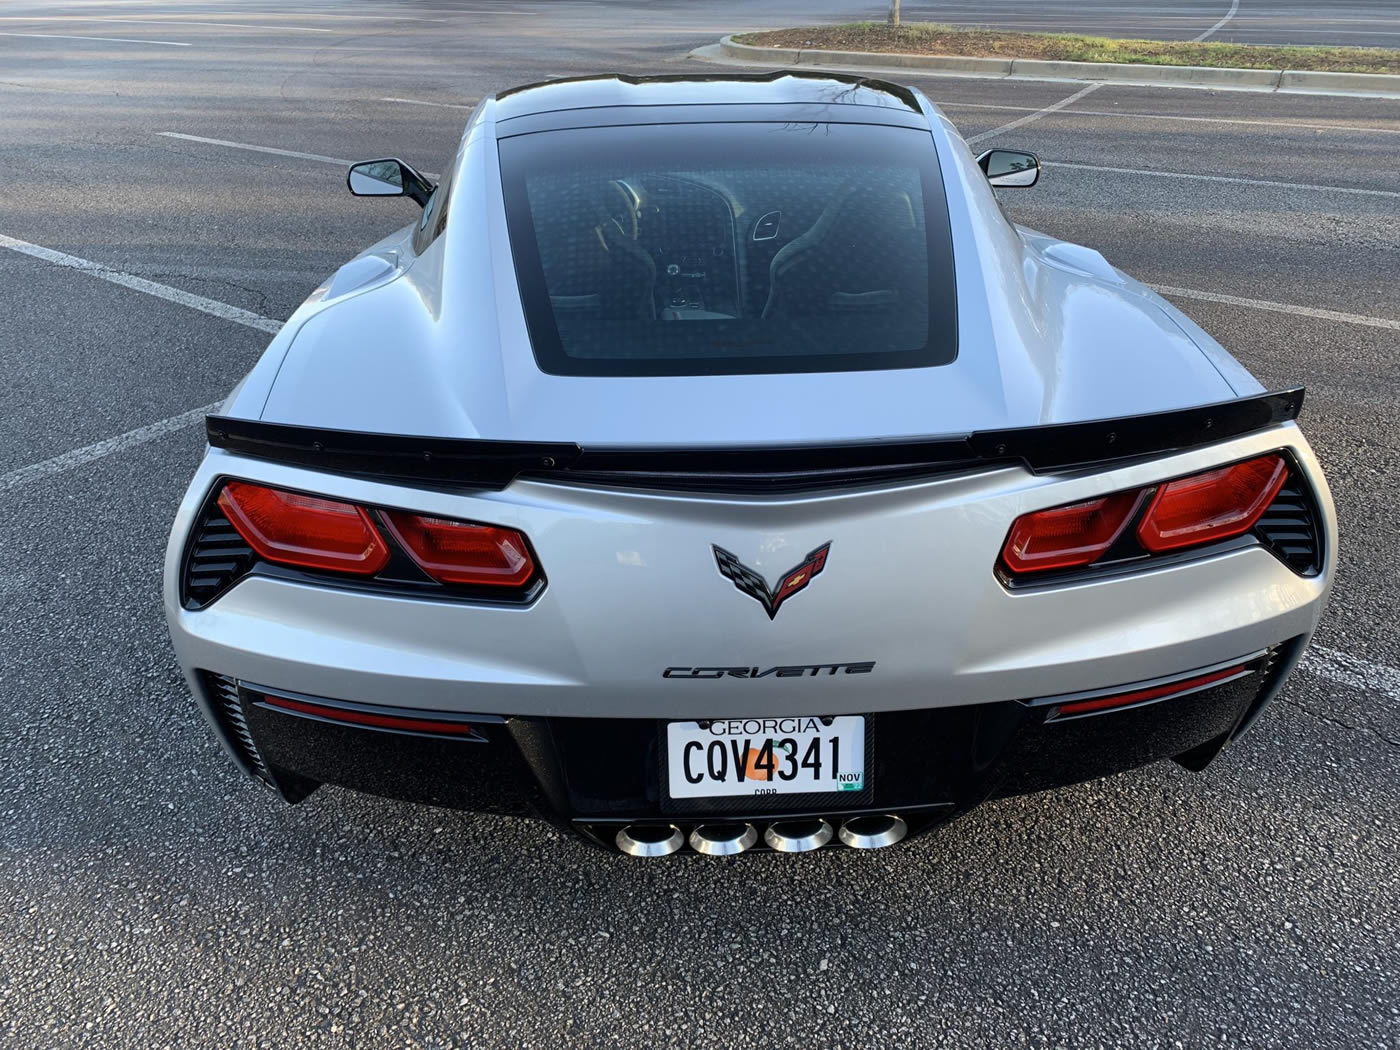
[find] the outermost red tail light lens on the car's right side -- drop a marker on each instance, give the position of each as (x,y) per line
(1213,506)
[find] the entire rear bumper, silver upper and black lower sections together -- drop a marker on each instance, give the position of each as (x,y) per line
(570,692)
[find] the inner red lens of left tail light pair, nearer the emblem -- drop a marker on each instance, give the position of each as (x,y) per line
(454,552)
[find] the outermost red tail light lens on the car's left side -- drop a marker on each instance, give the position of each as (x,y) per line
(304,530)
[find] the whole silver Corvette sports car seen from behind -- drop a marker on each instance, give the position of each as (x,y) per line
(715,467)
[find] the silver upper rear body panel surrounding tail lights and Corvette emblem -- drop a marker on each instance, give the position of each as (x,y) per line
(633,591)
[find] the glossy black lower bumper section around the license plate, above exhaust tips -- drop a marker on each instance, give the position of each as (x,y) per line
(596,776)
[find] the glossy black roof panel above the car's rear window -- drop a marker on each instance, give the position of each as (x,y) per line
(782,87)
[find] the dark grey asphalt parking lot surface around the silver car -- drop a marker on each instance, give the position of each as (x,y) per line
(150,897)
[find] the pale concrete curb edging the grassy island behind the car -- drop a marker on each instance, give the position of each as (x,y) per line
(1303,82)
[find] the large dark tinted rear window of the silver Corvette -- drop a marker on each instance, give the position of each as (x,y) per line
(716,250)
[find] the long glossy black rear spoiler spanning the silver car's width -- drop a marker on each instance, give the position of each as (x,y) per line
(493,465)
